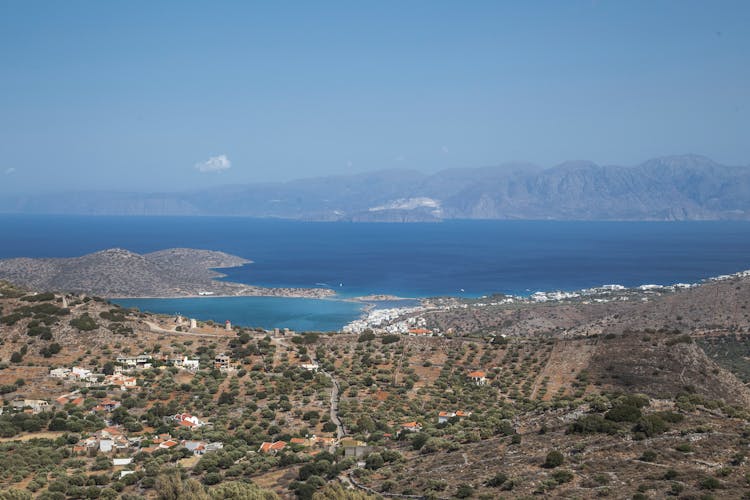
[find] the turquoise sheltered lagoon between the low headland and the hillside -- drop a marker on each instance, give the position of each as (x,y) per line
(264,312)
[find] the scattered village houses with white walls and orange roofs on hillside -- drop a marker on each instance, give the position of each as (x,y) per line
(118,436)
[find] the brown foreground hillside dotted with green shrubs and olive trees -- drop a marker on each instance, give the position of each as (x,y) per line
(606,405)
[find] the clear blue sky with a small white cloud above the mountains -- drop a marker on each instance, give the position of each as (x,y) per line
(174,95)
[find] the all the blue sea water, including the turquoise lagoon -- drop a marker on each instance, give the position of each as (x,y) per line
(459,258)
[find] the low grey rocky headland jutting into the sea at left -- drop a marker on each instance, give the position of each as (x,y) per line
(176,272)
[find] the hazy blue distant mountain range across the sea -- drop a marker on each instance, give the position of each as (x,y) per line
(687,187)
